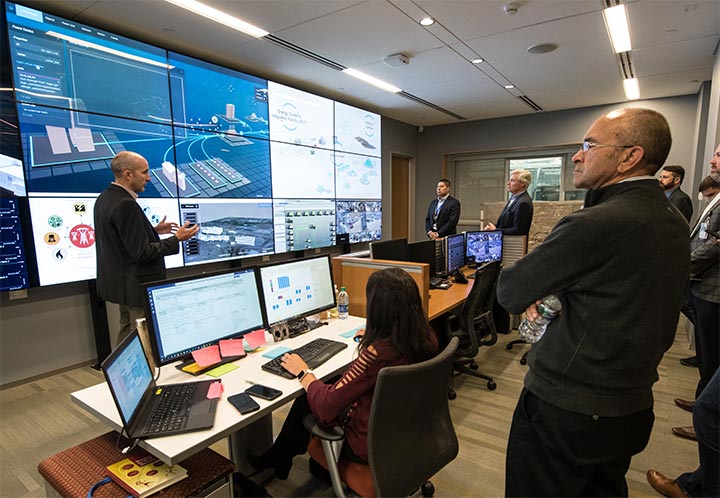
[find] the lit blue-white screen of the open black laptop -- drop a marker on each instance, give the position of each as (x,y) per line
(129,376)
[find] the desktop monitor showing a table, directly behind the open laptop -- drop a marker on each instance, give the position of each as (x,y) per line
(192,312)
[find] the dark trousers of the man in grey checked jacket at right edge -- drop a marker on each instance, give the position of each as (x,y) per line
(707,339)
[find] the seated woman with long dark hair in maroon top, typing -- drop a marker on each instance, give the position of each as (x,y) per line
(397,333)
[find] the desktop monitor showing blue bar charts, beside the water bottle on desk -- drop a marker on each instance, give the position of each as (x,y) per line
(296,289)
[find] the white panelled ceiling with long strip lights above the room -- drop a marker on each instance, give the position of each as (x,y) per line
(673,49)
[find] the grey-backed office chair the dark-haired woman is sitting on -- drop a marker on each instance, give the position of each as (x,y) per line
(410,433)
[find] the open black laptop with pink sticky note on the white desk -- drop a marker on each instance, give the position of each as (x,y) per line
(147,409)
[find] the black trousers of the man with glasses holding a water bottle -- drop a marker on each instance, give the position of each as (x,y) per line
(556,452)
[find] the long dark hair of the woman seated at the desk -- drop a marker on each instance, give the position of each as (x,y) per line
(394,313)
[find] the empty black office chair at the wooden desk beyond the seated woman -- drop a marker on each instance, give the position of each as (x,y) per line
(475,326)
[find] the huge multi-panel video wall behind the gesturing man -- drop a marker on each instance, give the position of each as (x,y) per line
(262,167)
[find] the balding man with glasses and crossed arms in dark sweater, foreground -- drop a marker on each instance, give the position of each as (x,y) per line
(587,403)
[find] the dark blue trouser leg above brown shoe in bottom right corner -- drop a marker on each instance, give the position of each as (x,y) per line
(705,481)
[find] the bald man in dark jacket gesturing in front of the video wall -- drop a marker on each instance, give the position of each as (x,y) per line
(129,250)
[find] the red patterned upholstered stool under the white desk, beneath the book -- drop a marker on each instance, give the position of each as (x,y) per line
(71,473)
